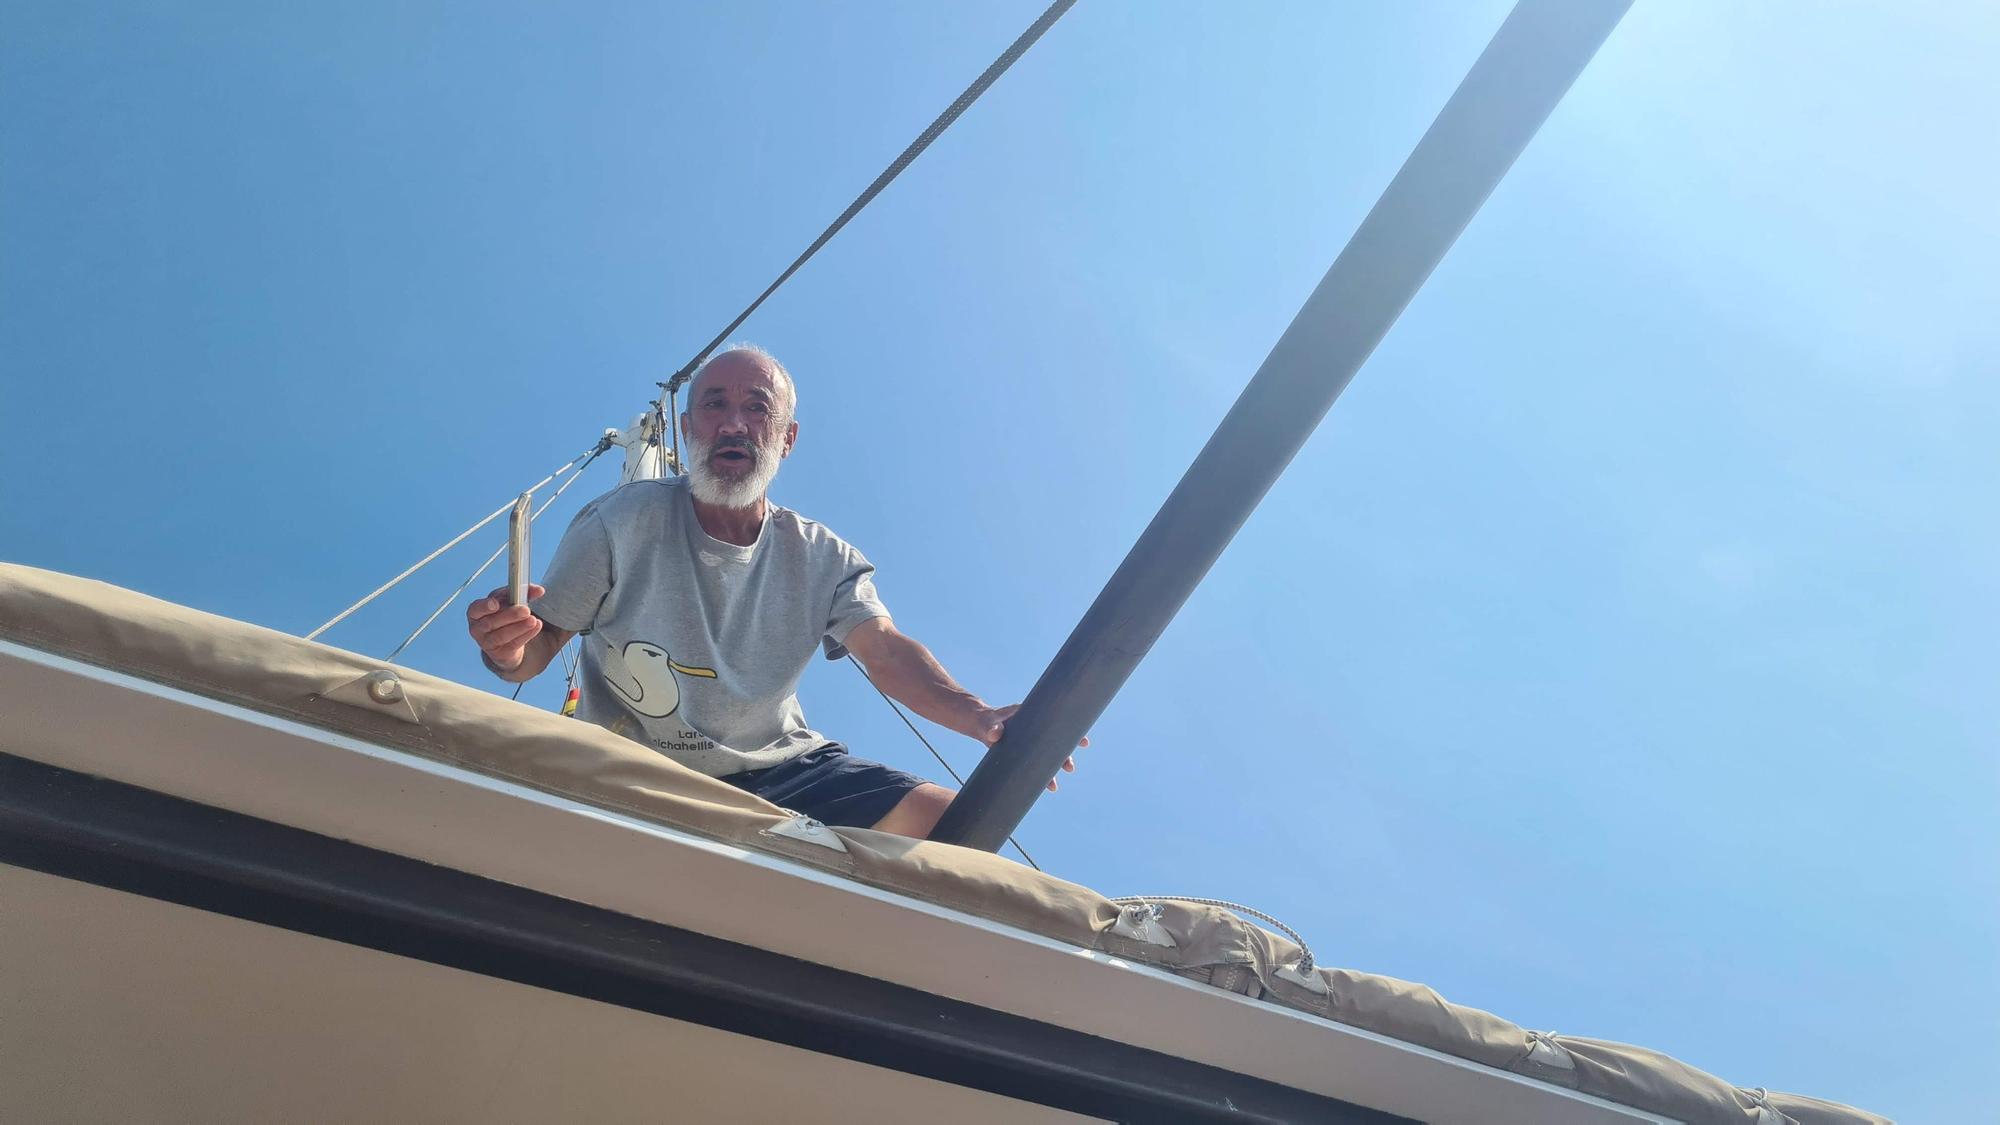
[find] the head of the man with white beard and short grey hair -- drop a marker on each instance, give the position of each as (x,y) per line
(737,429)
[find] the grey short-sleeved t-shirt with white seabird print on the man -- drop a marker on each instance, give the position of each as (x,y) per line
(695,646)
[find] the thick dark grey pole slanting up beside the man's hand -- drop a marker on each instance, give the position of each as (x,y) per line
(1483,129)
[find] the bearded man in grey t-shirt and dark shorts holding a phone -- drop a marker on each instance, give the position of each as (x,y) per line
(703,604)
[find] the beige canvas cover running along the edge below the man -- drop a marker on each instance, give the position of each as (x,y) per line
(329,688)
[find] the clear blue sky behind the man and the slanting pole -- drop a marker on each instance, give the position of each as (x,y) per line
(1621,656)
